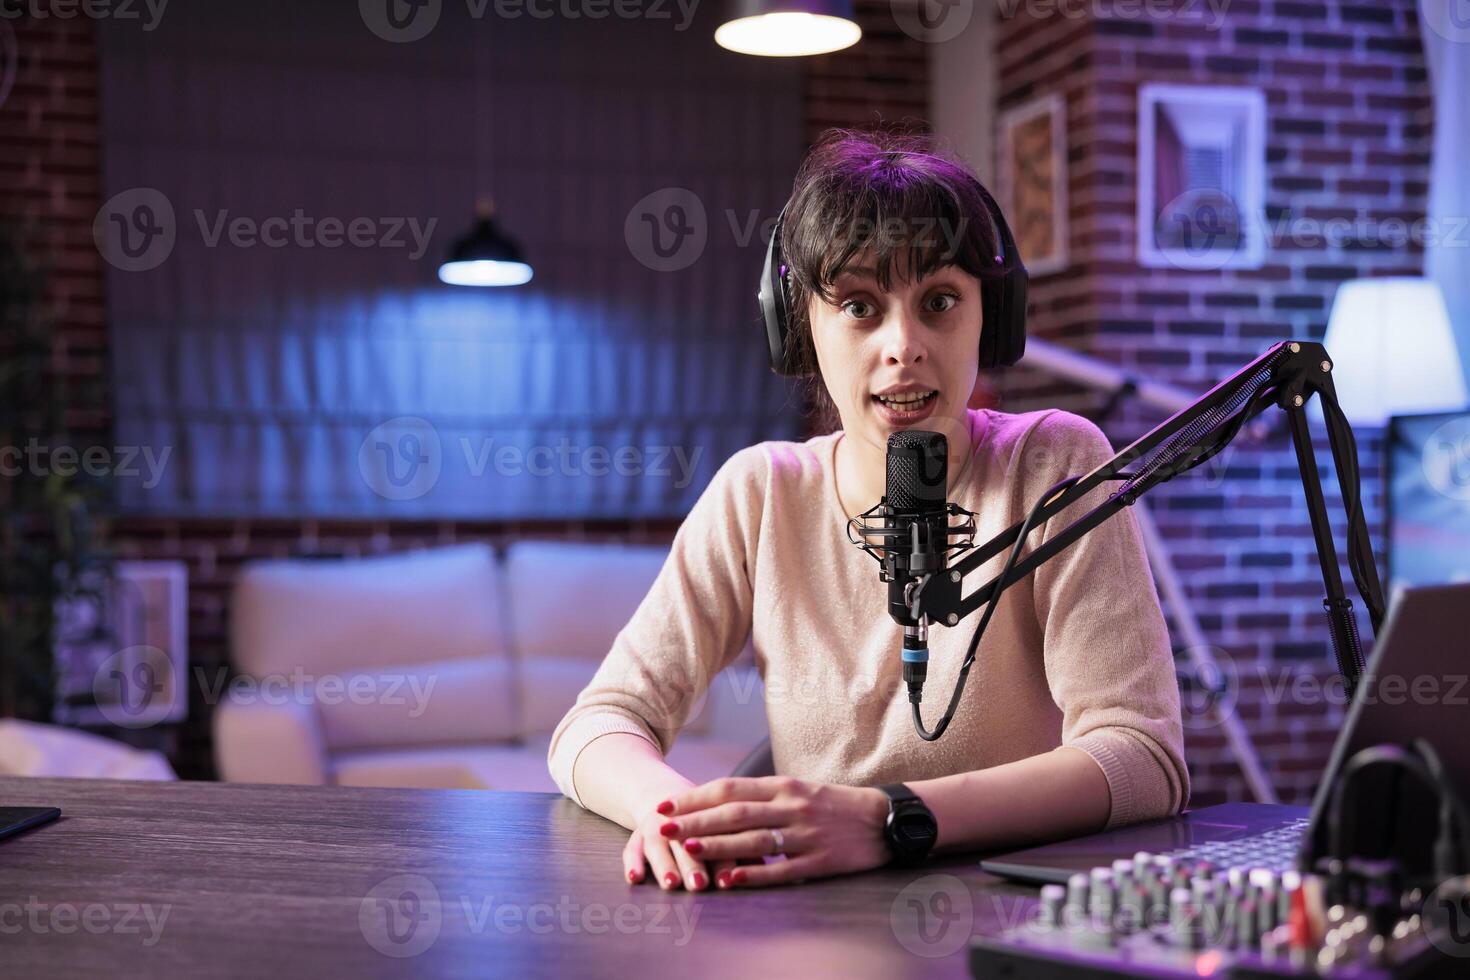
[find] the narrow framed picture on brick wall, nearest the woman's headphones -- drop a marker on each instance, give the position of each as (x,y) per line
(1033,181)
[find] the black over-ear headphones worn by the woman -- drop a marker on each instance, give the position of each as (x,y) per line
(1003,300)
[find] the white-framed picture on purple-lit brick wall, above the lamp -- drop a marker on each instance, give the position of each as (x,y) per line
(1202,177)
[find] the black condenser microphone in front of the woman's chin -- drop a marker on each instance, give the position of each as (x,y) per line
(917,536)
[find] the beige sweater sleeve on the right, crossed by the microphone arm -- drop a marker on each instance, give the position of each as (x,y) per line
(1108,653)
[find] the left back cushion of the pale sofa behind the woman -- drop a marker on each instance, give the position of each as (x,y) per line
(340,616)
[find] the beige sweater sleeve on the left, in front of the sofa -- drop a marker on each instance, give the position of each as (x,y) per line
(690,627)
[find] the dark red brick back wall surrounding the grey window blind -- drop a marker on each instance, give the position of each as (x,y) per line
(51,167)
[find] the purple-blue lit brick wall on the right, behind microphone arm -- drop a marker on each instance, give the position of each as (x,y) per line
(1349,129)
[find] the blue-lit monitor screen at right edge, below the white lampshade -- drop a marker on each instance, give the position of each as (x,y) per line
(1430,499)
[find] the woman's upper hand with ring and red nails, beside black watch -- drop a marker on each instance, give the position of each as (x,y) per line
(821,828)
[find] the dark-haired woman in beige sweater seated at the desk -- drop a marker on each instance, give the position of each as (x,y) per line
(1071,721)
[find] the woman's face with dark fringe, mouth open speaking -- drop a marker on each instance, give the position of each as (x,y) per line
(899,359)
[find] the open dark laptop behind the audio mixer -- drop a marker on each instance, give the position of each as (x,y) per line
(1415,685)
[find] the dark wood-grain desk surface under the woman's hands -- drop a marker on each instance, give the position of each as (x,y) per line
(211,881)
